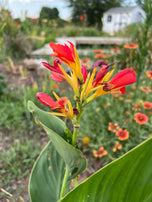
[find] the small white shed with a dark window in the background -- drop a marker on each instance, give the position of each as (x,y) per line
(117,18)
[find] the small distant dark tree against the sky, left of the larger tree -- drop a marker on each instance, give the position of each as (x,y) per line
(49,13)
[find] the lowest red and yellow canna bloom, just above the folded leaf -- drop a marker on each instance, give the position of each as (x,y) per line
(62,105)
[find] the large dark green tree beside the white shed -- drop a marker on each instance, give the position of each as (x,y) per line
(93,8)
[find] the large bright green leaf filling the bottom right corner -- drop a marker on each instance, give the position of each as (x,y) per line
(127,179)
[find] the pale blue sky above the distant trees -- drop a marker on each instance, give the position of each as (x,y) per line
(33,7)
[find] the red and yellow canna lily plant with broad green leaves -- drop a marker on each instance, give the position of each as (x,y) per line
(61,162)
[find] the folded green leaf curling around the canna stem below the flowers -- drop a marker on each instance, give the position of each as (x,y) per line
(73,158)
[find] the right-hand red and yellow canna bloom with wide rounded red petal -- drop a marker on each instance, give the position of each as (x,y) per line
(101,84)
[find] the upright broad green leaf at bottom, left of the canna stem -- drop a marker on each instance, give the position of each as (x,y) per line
(47,175)
